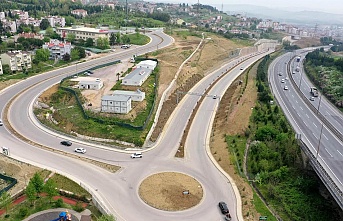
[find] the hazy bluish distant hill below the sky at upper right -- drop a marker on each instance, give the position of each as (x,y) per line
(299,17)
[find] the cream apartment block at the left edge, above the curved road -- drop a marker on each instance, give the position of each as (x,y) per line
(17,60)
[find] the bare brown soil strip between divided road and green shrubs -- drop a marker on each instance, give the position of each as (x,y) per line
(232,118)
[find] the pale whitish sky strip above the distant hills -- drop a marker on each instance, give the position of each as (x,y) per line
(330,6)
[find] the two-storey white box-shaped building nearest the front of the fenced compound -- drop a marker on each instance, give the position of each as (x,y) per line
(116,104)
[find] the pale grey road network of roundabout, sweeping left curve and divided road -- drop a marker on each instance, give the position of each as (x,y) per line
(118,192)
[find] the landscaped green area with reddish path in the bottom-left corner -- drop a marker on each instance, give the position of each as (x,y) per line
(40,195)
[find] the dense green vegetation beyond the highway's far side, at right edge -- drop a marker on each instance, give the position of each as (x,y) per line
(326,73)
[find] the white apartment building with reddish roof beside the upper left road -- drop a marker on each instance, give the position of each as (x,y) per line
(57,48)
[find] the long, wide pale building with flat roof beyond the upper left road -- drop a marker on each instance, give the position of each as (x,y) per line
(83,33)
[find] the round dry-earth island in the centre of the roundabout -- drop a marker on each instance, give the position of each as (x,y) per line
(164,191)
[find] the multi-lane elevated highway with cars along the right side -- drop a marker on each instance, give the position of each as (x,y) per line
(324,145)
